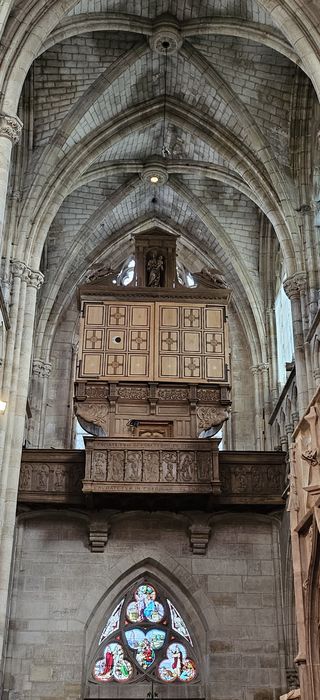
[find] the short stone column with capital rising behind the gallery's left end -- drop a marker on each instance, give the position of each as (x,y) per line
(40,374)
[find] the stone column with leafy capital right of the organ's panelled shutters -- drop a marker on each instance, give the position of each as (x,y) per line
(293,287)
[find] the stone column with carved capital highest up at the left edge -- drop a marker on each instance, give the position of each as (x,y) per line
(10,130)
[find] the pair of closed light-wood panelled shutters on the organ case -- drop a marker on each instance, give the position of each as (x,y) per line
(157,341)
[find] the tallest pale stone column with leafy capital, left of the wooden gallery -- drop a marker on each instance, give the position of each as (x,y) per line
(30,282)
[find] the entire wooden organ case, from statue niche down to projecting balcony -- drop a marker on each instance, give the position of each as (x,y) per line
(153,375)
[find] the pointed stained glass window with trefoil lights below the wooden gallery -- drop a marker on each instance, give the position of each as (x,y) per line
(145,637)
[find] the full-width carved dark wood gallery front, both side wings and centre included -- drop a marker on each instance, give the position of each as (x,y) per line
(165,466)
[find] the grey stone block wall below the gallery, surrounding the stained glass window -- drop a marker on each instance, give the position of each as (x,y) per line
(63,592)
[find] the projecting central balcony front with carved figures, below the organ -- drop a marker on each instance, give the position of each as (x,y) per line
(163,466)
